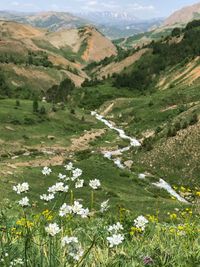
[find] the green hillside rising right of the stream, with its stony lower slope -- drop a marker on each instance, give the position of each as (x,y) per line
(143,114)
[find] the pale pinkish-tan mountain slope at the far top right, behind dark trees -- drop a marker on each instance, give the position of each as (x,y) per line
(184,15)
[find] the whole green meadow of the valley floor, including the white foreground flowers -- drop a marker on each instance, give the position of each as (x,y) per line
(125,221)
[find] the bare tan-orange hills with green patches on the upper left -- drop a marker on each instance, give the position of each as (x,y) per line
(52,56)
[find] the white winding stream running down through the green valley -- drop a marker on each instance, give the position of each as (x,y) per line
(133,143)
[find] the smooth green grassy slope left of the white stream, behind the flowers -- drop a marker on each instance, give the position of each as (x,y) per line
(116,183)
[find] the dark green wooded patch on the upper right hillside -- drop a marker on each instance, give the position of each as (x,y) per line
(164,55)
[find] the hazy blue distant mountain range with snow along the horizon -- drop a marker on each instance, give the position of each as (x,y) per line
(111,24)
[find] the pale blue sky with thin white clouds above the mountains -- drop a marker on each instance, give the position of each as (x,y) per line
(139,8)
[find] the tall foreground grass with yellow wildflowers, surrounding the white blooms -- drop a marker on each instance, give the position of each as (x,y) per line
(170,240)
